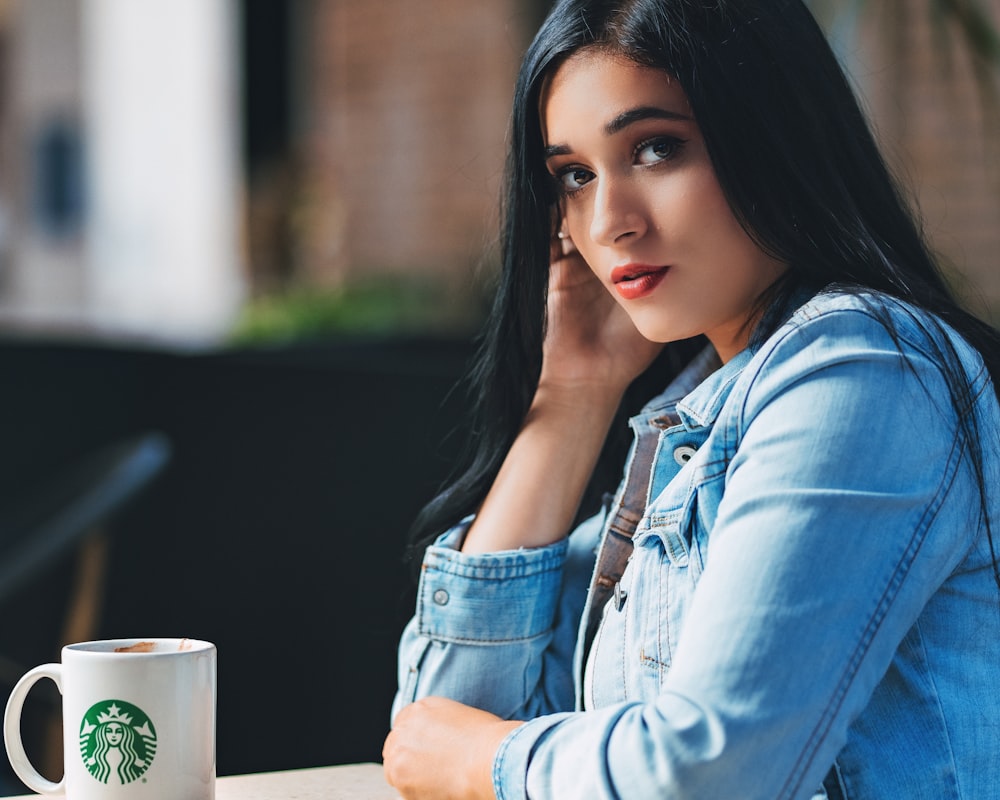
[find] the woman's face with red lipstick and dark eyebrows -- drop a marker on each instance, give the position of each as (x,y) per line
(642,204)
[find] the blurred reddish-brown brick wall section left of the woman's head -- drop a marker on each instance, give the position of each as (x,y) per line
(405,137)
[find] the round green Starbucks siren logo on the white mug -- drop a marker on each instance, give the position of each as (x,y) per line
(115,736)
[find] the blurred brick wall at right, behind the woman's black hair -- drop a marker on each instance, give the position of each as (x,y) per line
(941,137)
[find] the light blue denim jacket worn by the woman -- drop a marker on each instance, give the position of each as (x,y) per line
(809,601)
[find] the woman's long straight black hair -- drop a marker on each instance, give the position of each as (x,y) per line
(795,157)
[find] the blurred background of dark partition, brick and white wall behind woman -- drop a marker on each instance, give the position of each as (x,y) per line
(244,248)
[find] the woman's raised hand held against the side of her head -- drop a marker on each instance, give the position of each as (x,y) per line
(589,338)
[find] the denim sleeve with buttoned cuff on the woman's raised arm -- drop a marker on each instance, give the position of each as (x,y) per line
(512,614)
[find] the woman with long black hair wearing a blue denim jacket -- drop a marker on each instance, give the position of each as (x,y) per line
(796,590)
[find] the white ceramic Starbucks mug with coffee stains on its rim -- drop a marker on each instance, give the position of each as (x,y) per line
(138,720)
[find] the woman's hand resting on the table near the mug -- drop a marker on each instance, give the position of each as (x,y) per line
(442,750)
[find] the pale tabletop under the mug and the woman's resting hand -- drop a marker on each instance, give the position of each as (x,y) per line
(348,782)
